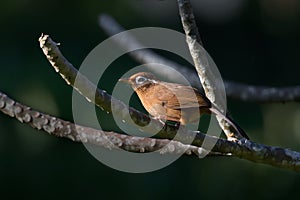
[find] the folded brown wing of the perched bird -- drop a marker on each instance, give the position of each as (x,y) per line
(177,96)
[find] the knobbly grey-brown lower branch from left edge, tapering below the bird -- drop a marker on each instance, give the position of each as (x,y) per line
(77,133)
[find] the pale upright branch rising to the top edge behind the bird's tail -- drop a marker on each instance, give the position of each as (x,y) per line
(209,78)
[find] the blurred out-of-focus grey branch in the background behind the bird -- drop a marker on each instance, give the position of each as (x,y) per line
(240,91)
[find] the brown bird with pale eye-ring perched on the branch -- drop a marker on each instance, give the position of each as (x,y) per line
(173,101)
